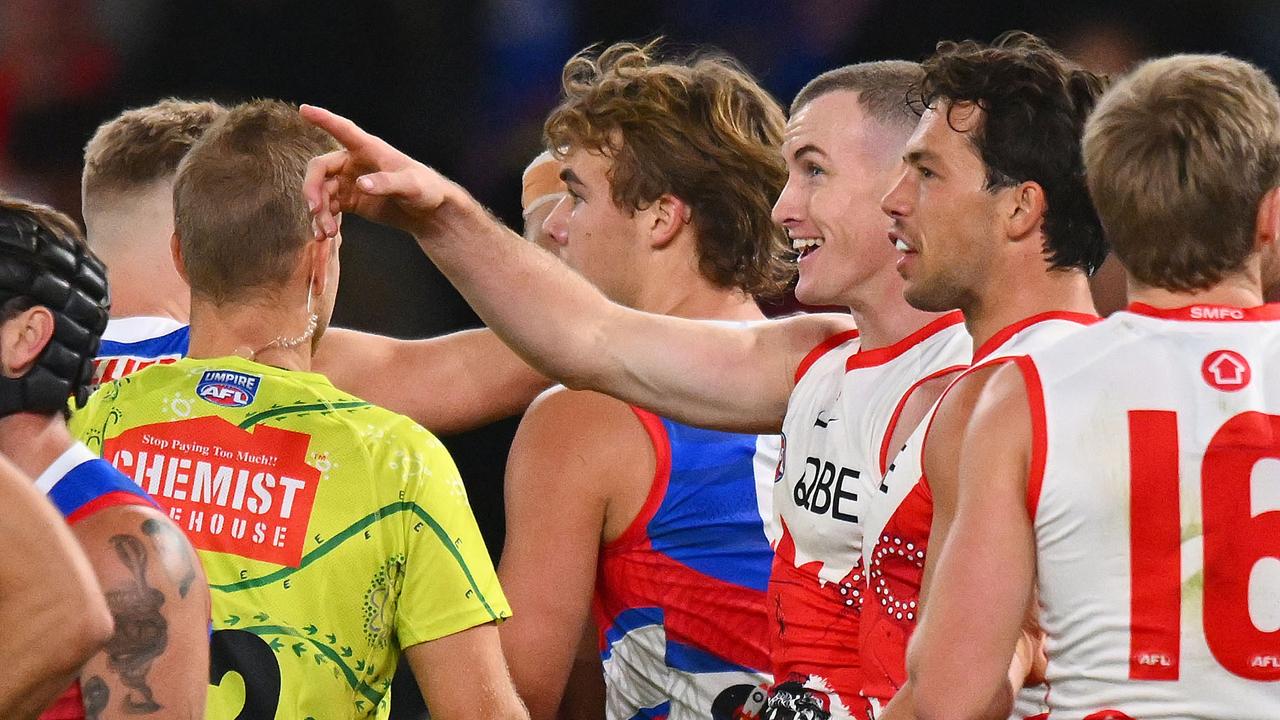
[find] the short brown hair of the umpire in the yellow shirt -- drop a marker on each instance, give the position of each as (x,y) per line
(239,206)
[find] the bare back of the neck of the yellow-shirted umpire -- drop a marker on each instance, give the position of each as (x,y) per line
(266,332)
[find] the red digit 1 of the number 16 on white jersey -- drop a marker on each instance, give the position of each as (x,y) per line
(1155,552)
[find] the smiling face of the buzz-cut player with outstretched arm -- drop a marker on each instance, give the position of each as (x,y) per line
(840,163)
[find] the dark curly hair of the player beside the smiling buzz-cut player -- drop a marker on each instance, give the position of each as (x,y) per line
(1035,106)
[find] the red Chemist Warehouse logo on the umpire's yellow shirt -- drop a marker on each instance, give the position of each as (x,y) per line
(248,494)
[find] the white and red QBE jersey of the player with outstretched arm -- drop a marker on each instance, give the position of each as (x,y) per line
(836,431)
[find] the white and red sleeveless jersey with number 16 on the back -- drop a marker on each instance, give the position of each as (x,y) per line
(1155,493)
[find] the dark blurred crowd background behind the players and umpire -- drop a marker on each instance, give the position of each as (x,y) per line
(464,85)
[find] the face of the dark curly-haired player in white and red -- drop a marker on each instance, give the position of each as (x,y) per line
(945,222)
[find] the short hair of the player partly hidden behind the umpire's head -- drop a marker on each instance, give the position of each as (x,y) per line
(144,145)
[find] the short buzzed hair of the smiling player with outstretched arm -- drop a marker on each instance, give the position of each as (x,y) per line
(884,89)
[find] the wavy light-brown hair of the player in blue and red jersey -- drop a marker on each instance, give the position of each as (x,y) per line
(700,129)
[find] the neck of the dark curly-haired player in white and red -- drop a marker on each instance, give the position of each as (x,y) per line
(1008,303)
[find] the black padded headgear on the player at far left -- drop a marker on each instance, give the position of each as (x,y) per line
(43,266)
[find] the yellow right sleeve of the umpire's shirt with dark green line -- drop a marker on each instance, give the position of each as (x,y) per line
(450,582)
